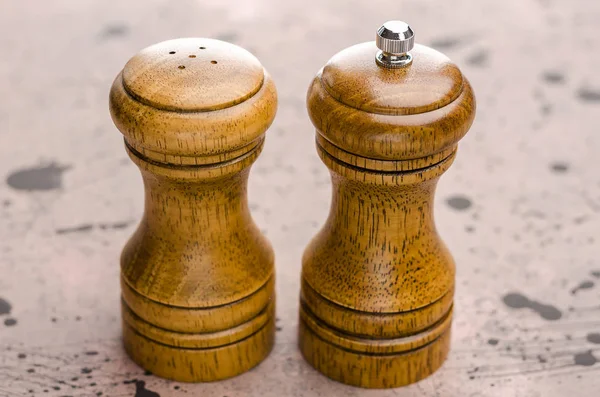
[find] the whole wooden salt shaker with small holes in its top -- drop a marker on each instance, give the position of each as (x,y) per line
(197,277)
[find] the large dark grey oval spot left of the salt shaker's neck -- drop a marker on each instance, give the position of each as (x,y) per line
(37,178)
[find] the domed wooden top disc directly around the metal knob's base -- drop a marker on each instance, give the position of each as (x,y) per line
(429,83)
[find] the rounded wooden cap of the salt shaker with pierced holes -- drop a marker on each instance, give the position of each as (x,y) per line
(193,101)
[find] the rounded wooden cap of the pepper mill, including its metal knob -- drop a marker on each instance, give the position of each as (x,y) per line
(418,110)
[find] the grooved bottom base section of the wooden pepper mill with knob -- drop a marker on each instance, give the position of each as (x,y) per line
(373,363)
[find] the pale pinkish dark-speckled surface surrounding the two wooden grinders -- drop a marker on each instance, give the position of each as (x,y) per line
(520,209)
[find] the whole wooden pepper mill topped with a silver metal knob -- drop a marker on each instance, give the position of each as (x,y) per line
(377,281)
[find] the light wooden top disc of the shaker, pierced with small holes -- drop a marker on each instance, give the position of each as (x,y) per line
(155,74)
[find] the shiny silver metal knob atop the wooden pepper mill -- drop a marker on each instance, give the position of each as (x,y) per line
(394,39)
